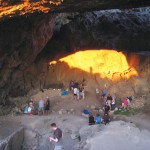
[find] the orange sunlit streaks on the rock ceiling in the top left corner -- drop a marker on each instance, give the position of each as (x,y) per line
(26,6)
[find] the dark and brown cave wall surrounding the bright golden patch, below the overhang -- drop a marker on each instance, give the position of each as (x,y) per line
(28,44)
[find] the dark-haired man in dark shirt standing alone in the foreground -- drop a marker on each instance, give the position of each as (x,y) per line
(57,137)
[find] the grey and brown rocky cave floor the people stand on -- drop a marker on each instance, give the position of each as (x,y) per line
(66,112)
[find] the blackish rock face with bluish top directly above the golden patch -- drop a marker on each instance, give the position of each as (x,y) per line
(126,30)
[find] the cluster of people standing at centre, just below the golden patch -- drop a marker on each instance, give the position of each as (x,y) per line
(77,89)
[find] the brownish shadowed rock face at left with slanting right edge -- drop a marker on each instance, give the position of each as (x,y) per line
(21,41)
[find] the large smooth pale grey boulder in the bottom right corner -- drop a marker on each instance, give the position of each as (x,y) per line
(123,133)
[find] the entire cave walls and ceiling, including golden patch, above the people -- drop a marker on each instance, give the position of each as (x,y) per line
(46,44)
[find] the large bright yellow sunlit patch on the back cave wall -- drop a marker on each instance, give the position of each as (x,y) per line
(107,63)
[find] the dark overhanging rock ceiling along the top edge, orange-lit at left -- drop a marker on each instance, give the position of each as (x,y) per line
(13,8)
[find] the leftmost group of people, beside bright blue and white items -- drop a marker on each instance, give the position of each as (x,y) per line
(43,107)
